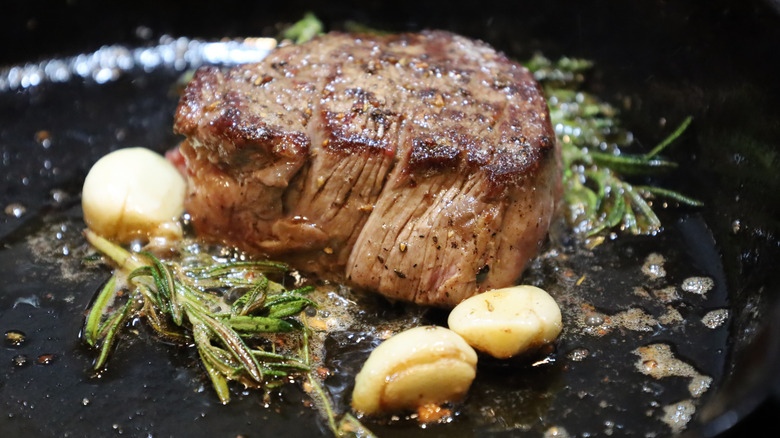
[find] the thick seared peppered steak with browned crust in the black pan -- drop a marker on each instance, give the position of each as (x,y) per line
(422,166)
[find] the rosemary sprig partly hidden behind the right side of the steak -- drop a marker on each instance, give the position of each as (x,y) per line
(597,196)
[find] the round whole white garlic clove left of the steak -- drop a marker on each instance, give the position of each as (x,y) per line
(133,193)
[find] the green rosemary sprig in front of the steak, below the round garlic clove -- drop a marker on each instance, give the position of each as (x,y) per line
(175,303)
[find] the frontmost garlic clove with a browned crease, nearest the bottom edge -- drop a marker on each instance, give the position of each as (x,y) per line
(417,367)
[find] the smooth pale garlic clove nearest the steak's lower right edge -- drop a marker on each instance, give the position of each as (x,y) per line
(507,322)
